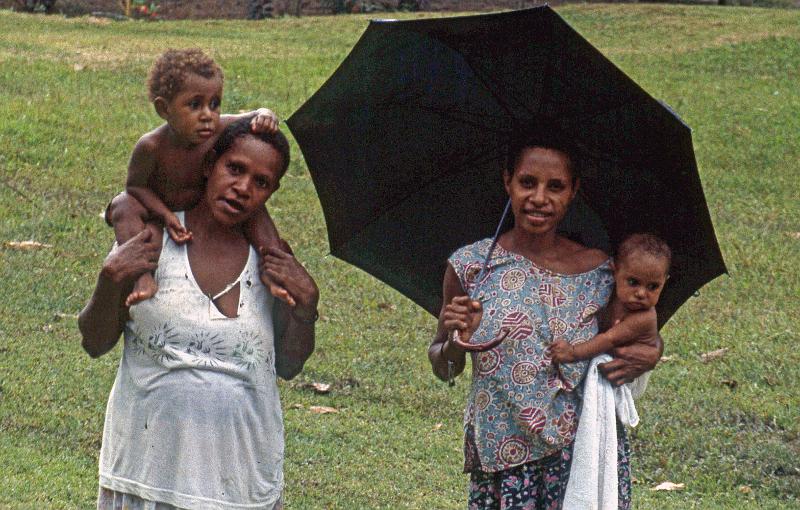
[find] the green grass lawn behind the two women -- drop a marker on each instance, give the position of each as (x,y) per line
(74,104)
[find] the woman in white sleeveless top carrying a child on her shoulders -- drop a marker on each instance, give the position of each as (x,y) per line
(194,417)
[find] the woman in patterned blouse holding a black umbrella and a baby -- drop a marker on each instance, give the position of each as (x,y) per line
(521,413)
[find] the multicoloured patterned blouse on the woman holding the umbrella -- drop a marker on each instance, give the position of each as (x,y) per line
(521,408)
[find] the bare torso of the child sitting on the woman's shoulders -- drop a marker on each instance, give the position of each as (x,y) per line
(178,172)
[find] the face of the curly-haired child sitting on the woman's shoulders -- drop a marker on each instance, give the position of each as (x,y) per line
(193,114)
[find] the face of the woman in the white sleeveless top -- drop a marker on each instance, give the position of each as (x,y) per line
(242,179)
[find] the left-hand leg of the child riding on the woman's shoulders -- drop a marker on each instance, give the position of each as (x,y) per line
(128,217)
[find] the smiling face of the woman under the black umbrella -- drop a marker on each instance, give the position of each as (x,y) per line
(541,189)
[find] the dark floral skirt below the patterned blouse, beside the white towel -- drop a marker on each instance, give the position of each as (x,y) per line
(541,484)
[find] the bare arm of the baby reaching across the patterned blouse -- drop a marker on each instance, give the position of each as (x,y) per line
(630,329)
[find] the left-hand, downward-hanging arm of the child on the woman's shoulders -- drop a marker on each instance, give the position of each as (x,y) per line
(140,168)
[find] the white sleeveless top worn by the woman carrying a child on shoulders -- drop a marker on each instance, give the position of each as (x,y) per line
(194,418)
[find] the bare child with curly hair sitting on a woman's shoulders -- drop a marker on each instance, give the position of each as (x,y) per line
(166,171)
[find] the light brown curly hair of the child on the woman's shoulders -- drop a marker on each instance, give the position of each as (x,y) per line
(170,69)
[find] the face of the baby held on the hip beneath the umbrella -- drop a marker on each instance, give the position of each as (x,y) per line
(639,279)
